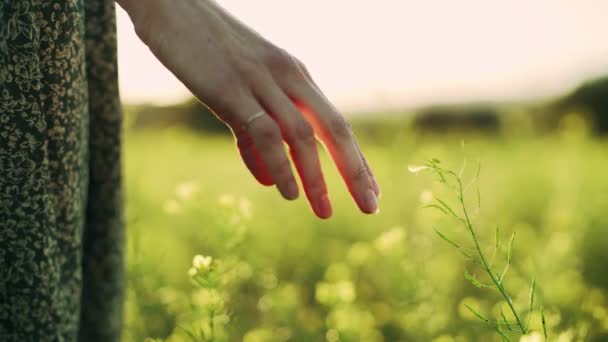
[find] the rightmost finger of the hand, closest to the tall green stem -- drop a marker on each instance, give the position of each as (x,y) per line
(337,135)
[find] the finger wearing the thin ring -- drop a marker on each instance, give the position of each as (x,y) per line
(267,140)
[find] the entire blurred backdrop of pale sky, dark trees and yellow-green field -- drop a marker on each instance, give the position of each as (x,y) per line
(519,86)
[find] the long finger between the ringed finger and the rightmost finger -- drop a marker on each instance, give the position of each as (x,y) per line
(300,137)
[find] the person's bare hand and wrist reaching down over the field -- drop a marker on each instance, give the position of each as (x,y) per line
(237,73)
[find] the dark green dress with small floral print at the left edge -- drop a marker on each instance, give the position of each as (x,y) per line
(61,222)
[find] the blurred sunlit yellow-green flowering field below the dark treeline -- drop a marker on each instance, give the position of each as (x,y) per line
(279,274)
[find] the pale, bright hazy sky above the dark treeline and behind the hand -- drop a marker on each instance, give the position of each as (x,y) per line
(392,53)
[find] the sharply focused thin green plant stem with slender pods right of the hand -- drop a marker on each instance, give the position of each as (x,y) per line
(454,182)
